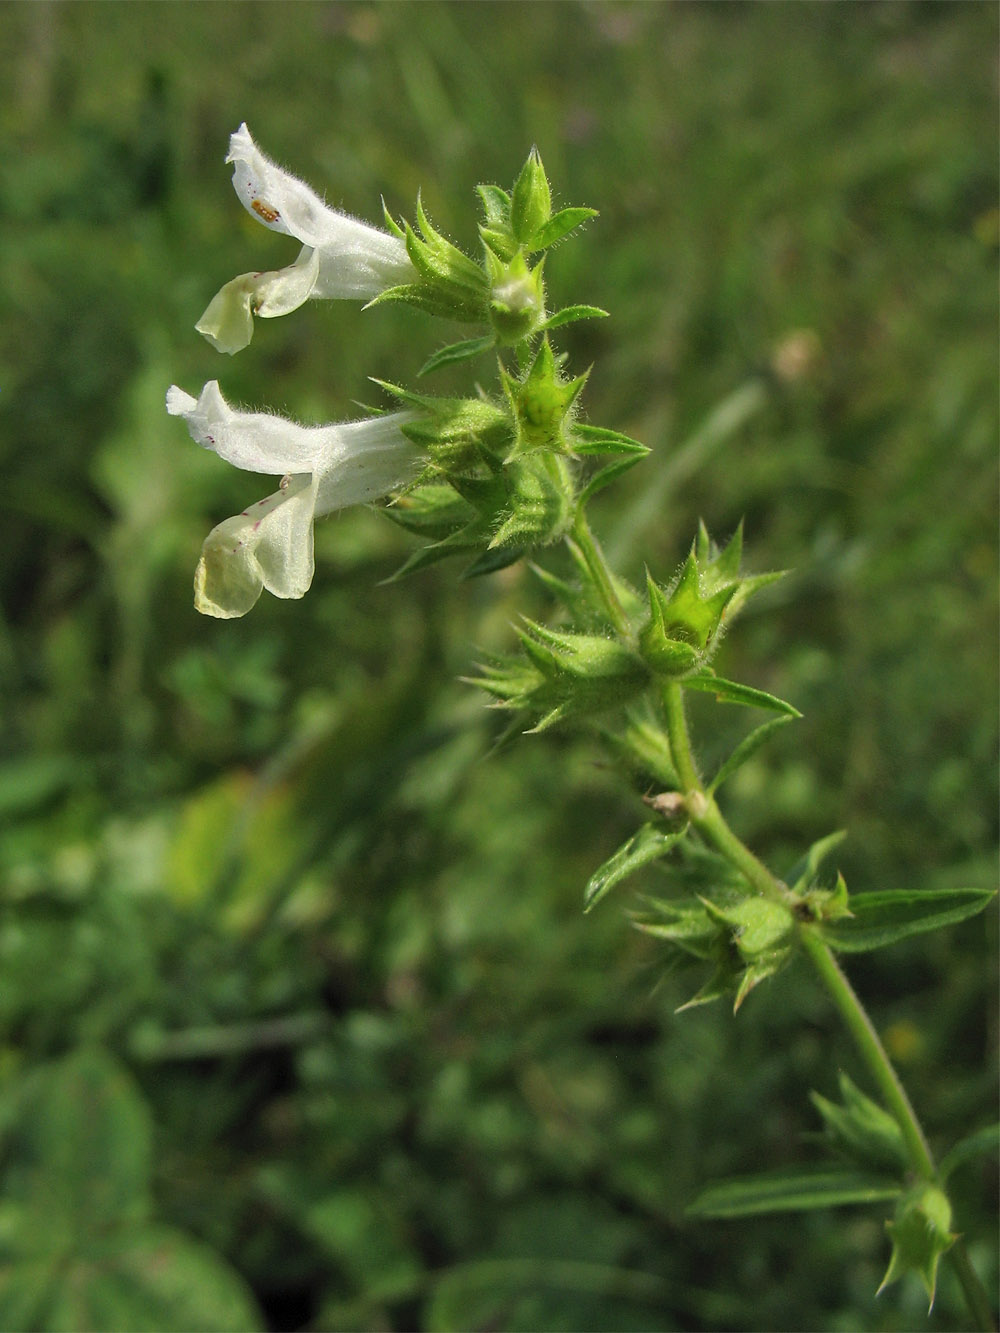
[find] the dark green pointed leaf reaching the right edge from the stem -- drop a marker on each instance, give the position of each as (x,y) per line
(881,919)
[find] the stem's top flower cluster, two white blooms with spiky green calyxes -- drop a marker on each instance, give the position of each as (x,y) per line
(469,474)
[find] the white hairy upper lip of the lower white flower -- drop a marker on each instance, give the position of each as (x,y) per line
(251,441)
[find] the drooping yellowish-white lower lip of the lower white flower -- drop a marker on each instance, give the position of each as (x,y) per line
(270,546)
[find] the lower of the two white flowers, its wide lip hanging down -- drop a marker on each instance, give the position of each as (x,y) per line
(326,469)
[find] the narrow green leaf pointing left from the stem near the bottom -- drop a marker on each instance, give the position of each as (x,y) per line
(791,1191)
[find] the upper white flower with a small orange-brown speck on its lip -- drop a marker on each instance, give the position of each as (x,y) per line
(342,258)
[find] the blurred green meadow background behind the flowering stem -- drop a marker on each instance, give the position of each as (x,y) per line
(301,1024)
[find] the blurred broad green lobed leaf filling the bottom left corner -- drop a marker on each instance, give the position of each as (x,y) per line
(77,1247)
